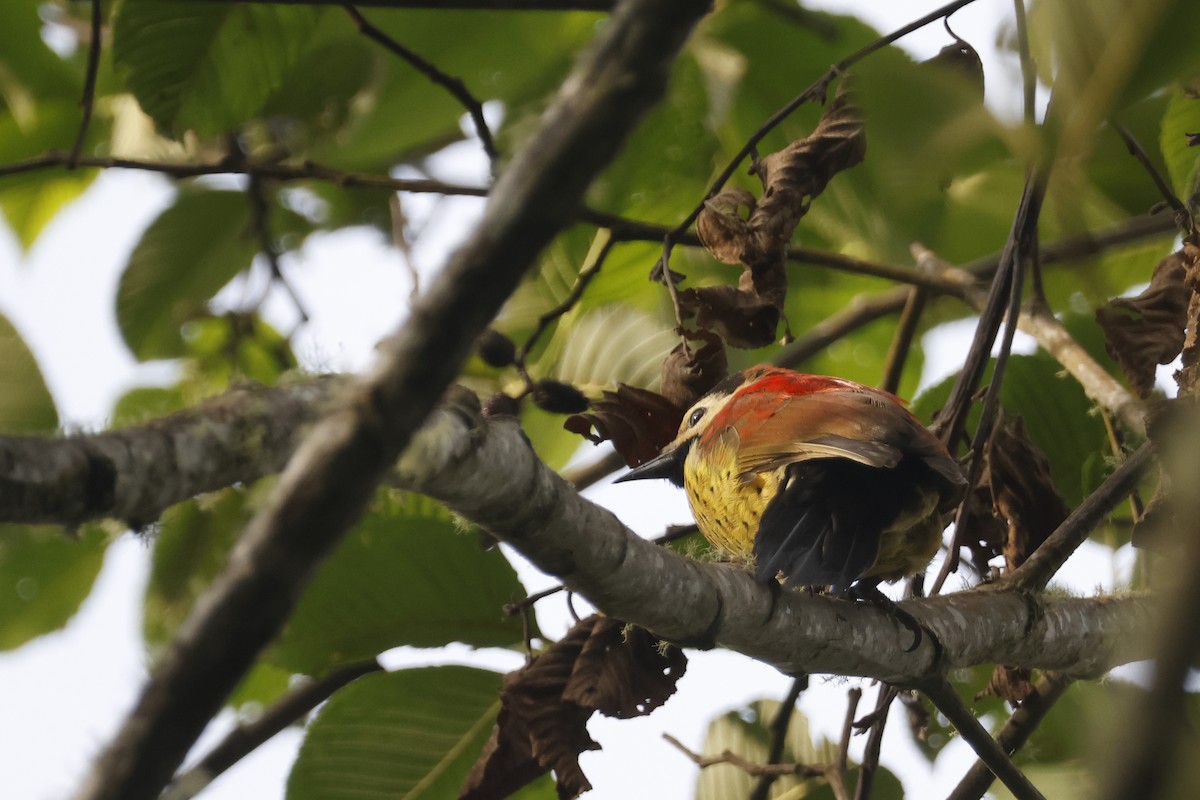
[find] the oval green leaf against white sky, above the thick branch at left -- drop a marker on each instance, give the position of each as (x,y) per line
(184,258)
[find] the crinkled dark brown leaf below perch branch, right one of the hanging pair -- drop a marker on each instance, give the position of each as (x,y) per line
(623,672)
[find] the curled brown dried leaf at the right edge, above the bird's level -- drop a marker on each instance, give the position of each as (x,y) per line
(1148,330)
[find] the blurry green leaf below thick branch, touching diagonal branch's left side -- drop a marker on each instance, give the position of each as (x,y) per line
(193,543)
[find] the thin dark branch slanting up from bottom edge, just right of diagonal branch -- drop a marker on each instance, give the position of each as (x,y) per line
(247,738)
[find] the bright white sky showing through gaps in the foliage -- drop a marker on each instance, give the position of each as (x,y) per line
(65,694)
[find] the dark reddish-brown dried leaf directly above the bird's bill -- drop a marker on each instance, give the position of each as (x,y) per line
(639,423)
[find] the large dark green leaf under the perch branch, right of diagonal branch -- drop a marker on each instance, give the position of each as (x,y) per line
(405,575)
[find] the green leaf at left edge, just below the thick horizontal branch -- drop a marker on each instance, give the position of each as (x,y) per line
(45,575)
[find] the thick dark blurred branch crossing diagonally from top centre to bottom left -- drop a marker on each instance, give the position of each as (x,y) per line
(333,476)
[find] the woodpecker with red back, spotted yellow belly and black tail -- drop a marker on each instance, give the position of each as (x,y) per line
(818,482)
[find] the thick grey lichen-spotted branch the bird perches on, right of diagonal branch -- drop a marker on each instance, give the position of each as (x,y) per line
(485,471)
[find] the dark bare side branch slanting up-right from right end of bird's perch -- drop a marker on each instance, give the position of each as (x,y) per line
(1054,552)
